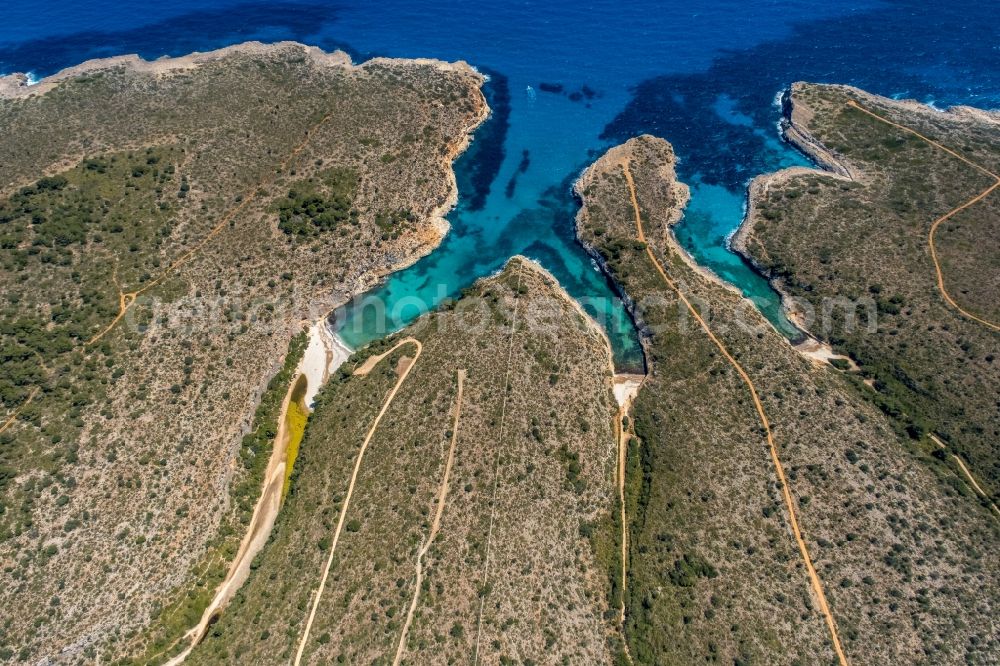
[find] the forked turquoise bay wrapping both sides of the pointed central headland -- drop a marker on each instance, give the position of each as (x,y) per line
(522,213)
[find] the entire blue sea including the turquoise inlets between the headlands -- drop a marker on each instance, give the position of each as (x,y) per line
(567,80)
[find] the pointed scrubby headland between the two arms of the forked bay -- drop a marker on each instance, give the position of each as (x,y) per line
(533,471)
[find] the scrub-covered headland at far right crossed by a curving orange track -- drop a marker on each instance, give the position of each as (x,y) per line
(866,237)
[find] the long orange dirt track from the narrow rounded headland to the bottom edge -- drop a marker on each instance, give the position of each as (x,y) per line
(817,586)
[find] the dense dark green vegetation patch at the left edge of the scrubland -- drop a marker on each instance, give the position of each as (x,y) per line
(66,240)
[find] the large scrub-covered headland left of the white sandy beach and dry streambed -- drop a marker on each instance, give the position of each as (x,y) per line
(240,192)
